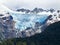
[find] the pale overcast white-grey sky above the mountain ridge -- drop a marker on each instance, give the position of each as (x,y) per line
(30,4)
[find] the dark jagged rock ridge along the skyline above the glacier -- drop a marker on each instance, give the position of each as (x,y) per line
(36,10)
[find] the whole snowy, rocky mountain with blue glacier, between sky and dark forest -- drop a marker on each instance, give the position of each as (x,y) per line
(15,24)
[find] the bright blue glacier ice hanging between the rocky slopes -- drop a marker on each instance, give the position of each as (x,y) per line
(24,21)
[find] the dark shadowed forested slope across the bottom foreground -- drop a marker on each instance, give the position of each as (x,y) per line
(51,36)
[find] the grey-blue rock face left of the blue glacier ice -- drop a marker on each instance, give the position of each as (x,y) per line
(7,26)
